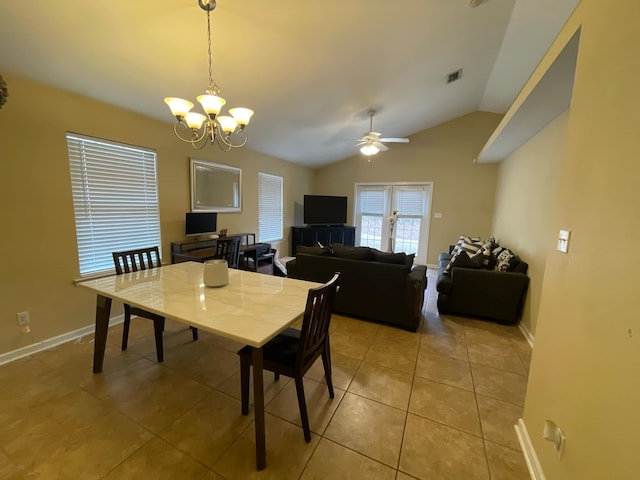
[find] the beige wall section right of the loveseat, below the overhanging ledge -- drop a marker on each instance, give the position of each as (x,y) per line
(525,198)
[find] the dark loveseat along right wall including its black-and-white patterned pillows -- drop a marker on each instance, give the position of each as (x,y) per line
(482,279)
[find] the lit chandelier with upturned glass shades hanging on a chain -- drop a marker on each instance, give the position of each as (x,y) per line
(197,129)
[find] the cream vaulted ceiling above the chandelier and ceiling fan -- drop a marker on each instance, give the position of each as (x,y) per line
(311,70)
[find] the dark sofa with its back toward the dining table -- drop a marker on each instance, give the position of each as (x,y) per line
(379,286)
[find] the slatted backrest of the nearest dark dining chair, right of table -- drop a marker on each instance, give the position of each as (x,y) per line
(315,325)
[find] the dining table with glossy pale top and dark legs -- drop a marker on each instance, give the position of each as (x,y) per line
(251,309)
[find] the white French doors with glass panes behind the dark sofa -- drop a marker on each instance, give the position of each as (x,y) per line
(409,230)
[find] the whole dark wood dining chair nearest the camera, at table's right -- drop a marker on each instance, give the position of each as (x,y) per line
(294,351)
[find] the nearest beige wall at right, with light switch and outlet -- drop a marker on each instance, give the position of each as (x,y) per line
(586,360)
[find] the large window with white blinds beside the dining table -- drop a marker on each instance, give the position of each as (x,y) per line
(115,199)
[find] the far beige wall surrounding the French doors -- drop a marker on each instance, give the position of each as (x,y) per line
(462,191)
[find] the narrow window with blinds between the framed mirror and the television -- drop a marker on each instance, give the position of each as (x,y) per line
(269,207)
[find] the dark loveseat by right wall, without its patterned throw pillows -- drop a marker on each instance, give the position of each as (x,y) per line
(481,291)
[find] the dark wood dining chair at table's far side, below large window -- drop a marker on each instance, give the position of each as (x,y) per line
(131,261)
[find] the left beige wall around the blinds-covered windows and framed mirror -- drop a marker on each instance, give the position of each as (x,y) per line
(38,232)
